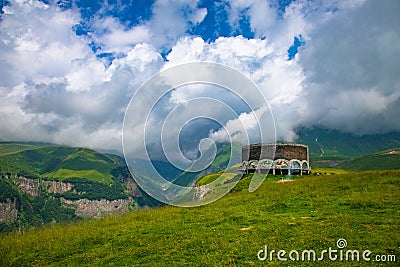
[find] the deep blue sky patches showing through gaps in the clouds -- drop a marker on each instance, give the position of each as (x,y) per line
(215,24)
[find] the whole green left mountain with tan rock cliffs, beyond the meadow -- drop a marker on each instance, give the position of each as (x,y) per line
(41,184)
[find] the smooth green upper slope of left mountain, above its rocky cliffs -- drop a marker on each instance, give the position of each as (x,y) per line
(56,162)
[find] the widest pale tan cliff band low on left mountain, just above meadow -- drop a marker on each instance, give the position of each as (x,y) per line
(98,208)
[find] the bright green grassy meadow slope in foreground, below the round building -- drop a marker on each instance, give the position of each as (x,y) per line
(310,213)
